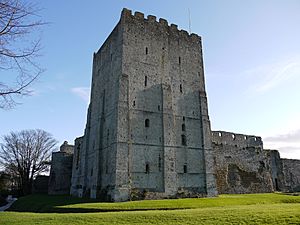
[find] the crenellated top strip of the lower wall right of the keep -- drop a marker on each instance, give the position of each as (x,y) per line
(238,140)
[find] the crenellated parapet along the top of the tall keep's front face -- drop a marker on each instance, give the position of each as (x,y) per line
(173,28)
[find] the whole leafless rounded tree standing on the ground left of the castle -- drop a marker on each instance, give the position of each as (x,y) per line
(25,155)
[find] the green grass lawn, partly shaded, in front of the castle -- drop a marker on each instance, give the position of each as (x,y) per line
(226,209)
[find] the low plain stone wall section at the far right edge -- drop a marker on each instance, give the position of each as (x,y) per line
(291,171)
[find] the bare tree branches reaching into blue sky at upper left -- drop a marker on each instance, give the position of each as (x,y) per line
(19,47)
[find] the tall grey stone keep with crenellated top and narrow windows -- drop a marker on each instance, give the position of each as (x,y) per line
(148,130)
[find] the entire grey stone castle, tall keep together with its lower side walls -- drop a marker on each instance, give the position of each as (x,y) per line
(148,132)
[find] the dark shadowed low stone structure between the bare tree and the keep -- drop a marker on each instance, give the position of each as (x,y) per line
(61,170)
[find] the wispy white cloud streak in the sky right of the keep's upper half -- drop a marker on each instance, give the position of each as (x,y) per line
(272,75)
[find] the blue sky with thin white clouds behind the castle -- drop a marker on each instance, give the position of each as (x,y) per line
(251,58)
